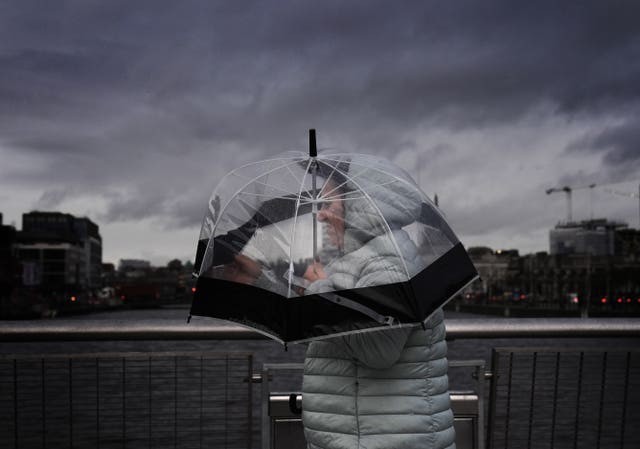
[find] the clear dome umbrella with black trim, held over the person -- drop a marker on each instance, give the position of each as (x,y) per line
(307,246)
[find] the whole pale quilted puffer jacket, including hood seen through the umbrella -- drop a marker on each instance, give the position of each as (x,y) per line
(380,389)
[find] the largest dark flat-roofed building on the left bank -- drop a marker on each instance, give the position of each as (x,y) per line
(59,251)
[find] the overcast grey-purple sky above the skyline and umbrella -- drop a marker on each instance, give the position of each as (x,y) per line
(129,112)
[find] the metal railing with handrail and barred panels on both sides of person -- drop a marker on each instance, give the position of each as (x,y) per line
(532,389)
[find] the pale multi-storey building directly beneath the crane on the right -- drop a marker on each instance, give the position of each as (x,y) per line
(595,237)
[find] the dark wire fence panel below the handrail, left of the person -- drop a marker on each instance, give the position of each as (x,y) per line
(157,400)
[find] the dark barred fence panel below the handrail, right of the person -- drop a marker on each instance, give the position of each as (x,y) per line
(565,398)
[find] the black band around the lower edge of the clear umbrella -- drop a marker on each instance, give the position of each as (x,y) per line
(291,319)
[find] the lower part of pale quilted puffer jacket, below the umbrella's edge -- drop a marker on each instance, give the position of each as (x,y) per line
(381,390)
